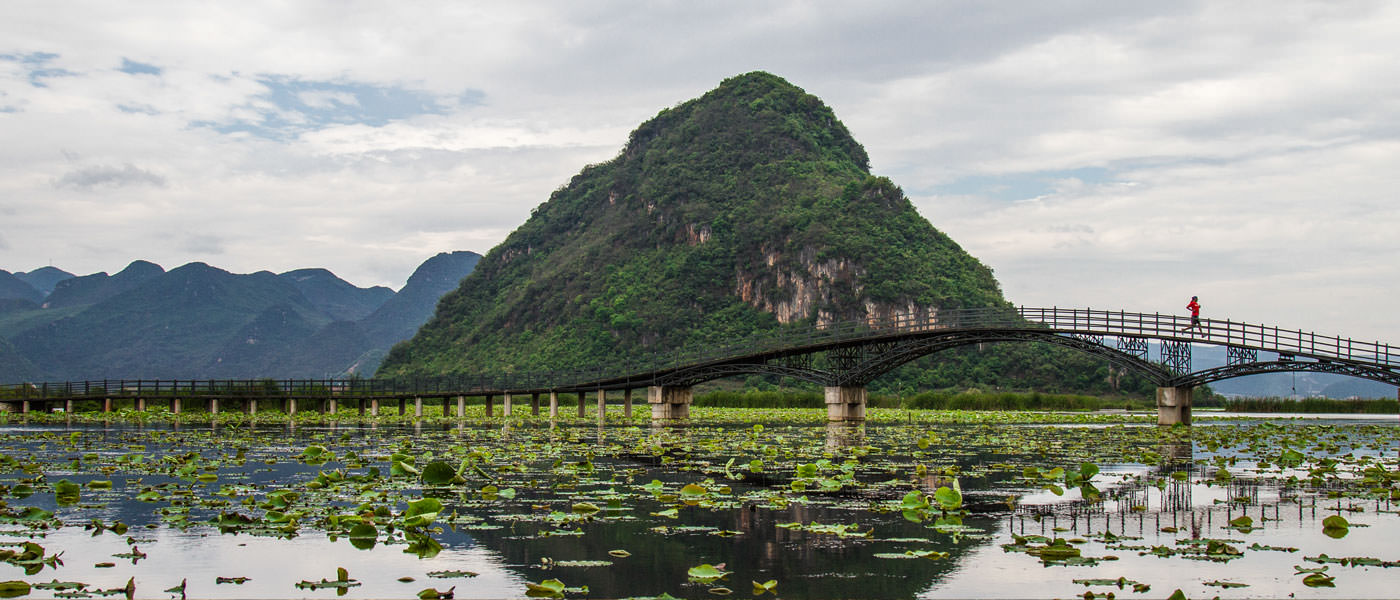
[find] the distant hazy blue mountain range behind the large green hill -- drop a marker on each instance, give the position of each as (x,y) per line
(201,322)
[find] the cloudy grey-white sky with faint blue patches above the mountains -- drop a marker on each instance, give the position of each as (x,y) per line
(1101,155)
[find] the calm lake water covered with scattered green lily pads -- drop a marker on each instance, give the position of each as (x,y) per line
(628,511)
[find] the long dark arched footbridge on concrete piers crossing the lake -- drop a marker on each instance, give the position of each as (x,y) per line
(842,357)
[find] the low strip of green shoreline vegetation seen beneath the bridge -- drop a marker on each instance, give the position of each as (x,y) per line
(717,408)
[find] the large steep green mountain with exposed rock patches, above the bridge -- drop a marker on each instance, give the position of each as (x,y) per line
(745,210)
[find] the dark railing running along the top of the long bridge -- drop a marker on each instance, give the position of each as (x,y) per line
(1069,321)
